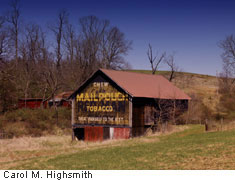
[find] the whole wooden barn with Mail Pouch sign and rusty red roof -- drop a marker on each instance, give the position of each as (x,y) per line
(119,104)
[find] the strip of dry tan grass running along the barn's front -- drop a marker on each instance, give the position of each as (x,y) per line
(14,151)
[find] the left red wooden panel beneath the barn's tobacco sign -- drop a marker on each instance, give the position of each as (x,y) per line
(93,133)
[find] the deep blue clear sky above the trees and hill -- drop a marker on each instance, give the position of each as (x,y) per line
(189,29)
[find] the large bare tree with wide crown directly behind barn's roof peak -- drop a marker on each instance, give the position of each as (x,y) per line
(96,45)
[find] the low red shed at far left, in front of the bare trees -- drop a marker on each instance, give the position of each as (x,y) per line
(31,103)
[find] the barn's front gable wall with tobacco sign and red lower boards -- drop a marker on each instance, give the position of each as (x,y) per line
(103,110)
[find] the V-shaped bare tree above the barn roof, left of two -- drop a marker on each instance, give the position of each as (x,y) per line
(154,60)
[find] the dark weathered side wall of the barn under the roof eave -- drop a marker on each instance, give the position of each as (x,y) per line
(146,113)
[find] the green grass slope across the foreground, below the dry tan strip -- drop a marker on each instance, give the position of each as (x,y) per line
(190,149)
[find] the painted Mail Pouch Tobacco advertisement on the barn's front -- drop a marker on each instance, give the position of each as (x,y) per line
(101,103)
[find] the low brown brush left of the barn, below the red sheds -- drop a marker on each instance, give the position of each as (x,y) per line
(35,122)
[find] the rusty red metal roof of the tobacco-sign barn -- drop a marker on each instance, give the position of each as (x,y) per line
(145,85)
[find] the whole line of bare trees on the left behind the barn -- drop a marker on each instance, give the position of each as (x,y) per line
(35,64)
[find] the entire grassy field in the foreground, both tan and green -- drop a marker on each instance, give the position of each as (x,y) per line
(187,147)
